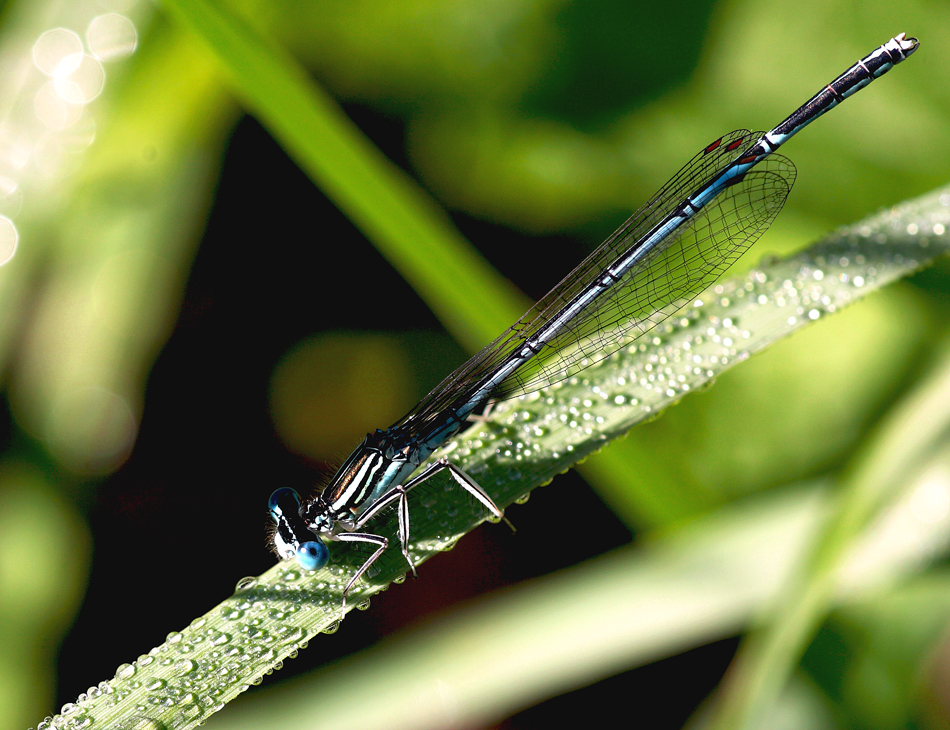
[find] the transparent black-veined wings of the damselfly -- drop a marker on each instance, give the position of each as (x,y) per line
(673,272)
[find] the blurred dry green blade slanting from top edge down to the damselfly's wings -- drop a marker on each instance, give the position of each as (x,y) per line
(410,230)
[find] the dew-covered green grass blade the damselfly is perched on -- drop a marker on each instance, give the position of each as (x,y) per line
(525,444)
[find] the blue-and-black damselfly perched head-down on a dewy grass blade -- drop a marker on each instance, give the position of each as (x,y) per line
(672,248)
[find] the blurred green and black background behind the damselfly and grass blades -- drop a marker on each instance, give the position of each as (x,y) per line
(188,323)
